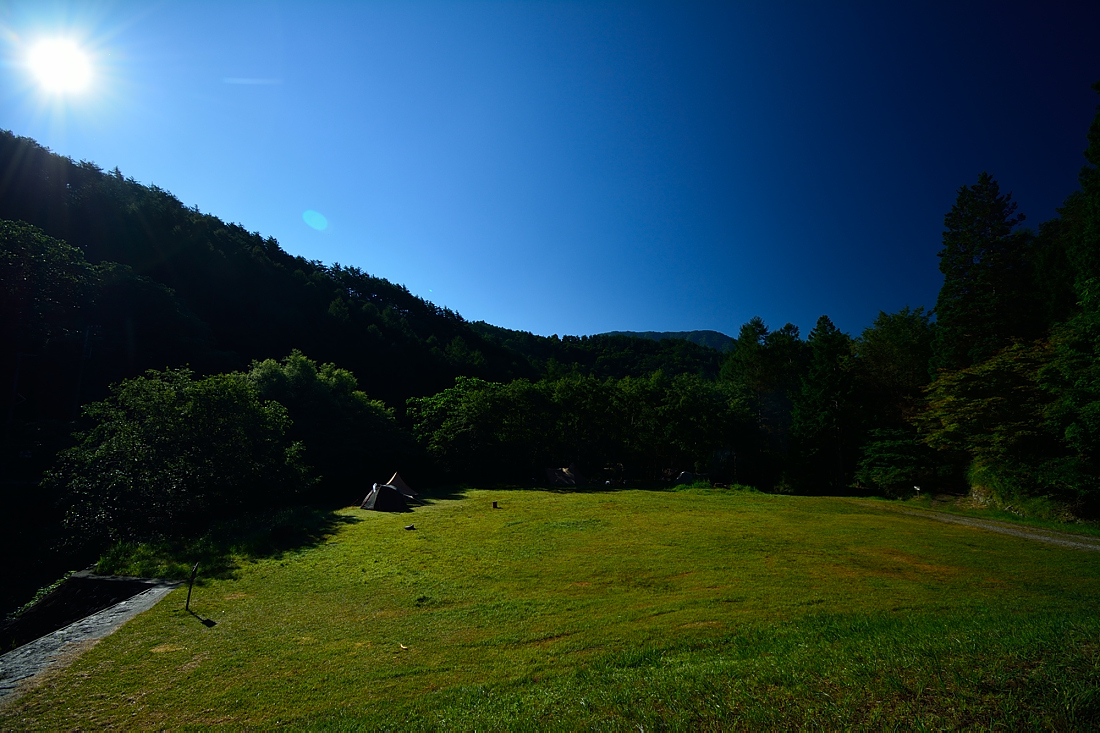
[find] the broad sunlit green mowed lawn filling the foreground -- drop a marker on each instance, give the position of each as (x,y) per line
(697,610)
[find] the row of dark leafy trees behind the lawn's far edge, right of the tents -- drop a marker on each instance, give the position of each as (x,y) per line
(611,430)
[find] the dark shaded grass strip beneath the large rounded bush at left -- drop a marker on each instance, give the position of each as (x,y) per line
(226,545)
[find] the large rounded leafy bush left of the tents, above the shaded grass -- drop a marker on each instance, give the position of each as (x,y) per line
(168,454)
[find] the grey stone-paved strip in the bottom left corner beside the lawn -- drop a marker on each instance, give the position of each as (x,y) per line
(20,668)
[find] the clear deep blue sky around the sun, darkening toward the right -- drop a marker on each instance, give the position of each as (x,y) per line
(577,168)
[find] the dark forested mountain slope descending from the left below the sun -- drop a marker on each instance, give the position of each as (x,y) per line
(188,287)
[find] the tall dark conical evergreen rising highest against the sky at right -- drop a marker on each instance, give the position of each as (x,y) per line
(983,303)
